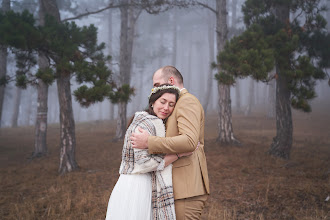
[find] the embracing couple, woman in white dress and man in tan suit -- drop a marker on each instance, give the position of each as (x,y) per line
(163,173)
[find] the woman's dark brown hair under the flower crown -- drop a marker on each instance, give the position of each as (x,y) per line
(154,96)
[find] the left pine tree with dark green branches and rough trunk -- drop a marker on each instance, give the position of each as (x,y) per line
(70,51)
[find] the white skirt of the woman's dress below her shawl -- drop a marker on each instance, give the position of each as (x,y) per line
(131,198)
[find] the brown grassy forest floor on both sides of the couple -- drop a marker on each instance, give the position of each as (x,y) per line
(246,183)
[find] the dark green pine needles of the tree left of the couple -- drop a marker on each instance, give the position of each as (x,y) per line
(69,49)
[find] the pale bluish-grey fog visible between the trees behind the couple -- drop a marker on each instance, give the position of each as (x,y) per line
(153,48)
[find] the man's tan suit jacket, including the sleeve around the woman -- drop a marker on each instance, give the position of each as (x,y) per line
(184,129)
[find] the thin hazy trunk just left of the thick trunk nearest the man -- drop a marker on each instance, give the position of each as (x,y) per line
(210,78)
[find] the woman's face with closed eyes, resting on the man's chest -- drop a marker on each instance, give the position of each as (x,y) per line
(164,105)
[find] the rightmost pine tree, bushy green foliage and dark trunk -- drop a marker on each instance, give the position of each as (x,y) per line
(298,47)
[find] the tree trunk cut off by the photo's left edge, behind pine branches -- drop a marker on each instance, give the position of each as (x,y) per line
(3,60)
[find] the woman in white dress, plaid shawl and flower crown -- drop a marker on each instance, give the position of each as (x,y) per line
(144,189)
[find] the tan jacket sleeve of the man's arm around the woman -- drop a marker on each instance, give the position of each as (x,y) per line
(188,115)
